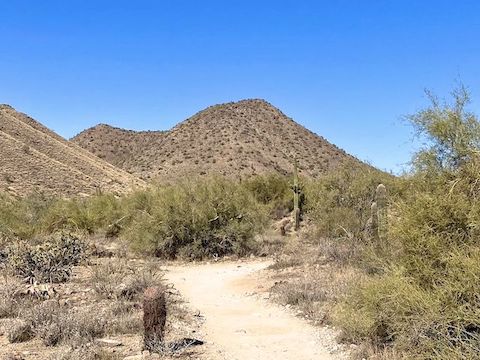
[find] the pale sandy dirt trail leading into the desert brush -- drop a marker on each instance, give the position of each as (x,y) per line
(240,323)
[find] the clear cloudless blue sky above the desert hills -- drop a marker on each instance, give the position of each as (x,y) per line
(347,70)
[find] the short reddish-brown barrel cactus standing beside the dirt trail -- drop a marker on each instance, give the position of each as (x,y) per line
(154,317)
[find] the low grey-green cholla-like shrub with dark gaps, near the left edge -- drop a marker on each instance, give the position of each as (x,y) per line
(50,261)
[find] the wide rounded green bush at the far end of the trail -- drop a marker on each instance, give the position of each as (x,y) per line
(211,217)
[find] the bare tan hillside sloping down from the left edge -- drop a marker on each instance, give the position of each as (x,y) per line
(35,159)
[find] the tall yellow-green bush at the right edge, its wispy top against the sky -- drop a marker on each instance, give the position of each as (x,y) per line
(425,305)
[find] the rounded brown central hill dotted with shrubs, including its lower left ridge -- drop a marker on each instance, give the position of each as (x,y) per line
(236,139)
